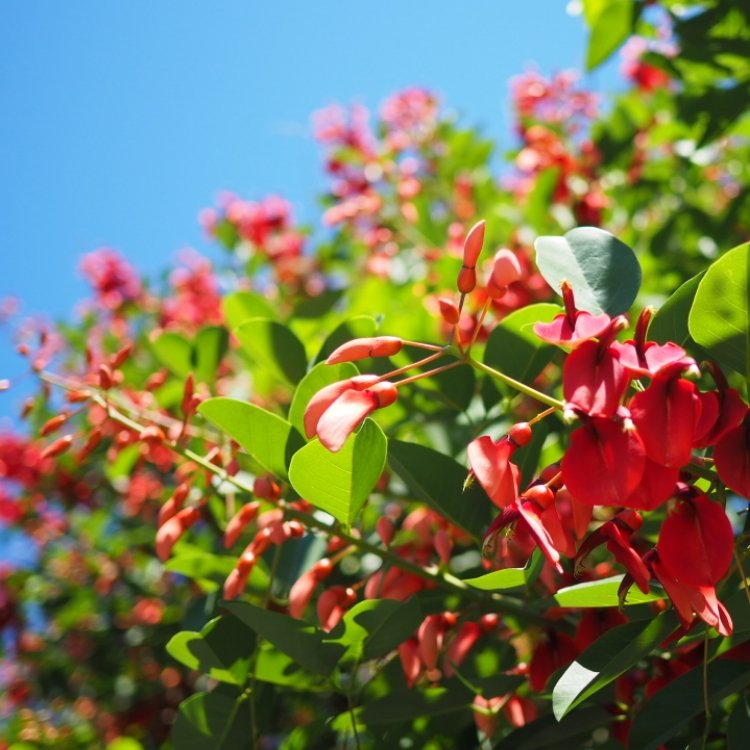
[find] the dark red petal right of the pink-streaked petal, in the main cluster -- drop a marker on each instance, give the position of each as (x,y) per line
(665,415)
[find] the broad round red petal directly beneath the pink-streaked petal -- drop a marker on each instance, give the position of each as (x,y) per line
(603,463)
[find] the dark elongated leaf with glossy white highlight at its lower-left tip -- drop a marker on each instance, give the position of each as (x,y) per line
(607,658)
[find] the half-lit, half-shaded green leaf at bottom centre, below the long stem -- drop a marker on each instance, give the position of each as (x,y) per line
(374,627)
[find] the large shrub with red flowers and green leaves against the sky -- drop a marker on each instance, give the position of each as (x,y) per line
(446,477)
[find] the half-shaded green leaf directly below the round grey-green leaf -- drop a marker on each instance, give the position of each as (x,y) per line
(515,349)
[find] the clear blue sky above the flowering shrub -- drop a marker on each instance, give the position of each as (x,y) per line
(121,120)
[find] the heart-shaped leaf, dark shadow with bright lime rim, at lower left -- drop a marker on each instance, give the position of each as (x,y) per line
(222,650)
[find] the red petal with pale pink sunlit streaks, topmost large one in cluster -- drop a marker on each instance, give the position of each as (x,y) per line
(594,380)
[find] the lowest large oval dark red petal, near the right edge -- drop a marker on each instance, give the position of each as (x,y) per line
(696,542)
